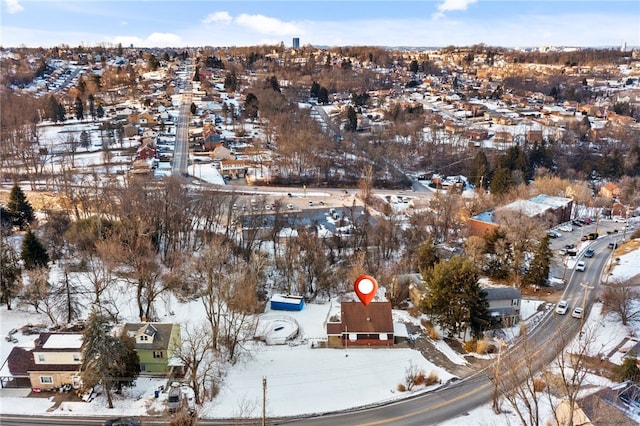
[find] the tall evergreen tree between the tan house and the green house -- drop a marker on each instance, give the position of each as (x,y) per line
(106,359)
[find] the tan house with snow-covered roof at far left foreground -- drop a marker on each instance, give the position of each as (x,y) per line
(55,360)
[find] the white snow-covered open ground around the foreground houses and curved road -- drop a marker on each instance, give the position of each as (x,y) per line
(300,379)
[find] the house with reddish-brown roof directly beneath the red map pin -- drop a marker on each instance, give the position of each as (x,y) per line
(362,326)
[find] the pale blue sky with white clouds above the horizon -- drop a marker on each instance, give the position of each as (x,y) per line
(416,23)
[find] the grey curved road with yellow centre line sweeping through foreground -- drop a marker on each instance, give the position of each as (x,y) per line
(455,399)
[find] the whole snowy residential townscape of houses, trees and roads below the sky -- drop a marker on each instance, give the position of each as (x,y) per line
(182,228)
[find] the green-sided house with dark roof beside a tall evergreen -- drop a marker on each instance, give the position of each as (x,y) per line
(155,343)
